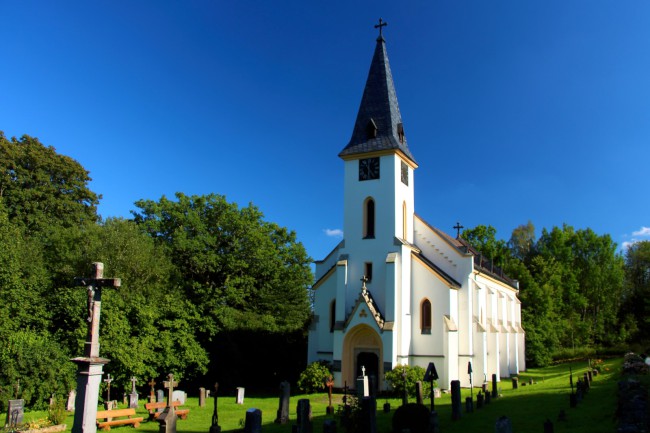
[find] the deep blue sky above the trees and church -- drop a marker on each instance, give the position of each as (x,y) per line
(515,110)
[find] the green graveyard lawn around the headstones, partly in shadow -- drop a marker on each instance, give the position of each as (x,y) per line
(527,407)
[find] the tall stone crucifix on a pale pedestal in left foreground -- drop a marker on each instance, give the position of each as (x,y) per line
(89,366)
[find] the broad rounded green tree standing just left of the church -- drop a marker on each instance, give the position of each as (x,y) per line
(240,271)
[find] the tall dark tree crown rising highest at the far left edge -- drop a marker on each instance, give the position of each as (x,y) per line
(41,188)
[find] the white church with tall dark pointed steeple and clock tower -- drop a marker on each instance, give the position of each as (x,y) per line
(397,290)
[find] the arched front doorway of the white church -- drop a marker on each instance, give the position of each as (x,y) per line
(362,347)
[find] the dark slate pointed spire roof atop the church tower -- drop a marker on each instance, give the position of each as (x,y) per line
(378,105)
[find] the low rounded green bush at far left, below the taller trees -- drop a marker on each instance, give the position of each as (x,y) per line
(40,365)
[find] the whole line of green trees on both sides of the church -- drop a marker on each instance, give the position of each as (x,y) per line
(209,287)
